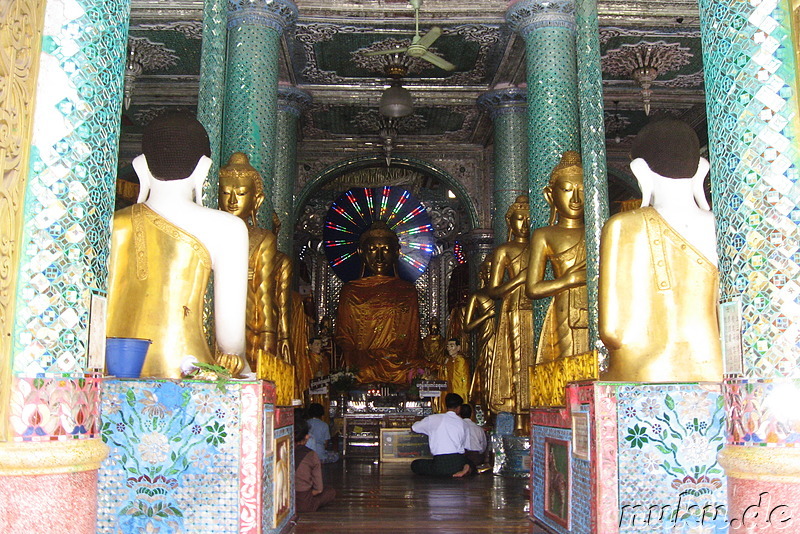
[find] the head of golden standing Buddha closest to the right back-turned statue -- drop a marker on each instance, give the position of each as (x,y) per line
(564,192)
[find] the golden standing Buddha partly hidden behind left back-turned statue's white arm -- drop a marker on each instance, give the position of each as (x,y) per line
(241,193)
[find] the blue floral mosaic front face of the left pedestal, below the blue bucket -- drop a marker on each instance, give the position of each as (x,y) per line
(176,449)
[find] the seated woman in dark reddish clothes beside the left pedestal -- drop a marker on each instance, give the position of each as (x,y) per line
(310,494)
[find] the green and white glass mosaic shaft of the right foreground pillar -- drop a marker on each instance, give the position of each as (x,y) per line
(752,107)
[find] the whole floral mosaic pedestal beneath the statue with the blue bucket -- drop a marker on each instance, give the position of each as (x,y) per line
(195,456)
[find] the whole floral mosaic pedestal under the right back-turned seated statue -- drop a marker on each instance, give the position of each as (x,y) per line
(629,457)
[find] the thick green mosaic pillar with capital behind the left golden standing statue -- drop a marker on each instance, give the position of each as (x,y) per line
(251,86)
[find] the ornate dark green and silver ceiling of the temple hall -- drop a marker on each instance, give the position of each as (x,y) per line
(323,54)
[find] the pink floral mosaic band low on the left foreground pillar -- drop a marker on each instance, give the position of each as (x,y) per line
(44,409)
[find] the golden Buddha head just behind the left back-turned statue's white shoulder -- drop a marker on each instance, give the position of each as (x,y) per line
(241,191)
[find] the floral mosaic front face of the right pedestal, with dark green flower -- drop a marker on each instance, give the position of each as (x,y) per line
(669,436)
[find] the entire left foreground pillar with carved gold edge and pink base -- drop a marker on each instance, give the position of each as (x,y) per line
(59,161)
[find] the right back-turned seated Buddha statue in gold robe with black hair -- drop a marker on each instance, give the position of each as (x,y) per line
(658,277)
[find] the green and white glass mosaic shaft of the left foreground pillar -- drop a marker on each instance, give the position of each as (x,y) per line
(69,198)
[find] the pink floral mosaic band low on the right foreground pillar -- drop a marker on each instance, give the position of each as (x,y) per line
(762,412)
